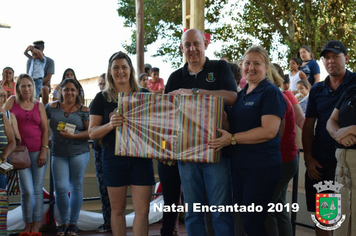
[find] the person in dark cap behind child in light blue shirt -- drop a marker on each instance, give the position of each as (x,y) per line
(48,72)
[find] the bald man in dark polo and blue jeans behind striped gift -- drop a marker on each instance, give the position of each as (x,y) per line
(204,77)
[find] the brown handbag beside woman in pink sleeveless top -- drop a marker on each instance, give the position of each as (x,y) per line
(20,158)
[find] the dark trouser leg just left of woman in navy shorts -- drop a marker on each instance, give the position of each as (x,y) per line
(105,202)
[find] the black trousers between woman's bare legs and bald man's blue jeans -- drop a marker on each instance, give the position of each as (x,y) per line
(170,182)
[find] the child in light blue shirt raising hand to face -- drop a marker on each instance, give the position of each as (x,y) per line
(36,68)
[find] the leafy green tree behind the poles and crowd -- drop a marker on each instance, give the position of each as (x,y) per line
(281,26)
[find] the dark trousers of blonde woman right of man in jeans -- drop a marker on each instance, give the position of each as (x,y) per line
(255,185)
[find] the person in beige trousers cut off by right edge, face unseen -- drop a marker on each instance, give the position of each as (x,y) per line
(342,127)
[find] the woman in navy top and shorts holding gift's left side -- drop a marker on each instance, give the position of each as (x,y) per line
(121,171)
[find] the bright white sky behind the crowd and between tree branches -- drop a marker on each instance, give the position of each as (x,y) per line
(78,34)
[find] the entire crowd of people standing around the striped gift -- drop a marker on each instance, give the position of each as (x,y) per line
(263,109)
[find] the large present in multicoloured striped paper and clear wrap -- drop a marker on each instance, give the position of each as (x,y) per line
(169,127)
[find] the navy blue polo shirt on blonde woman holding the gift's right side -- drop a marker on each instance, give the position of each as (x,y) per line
(245,114)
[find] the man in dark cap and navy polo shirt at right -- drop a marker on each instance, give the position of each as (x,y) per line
(319,148)
